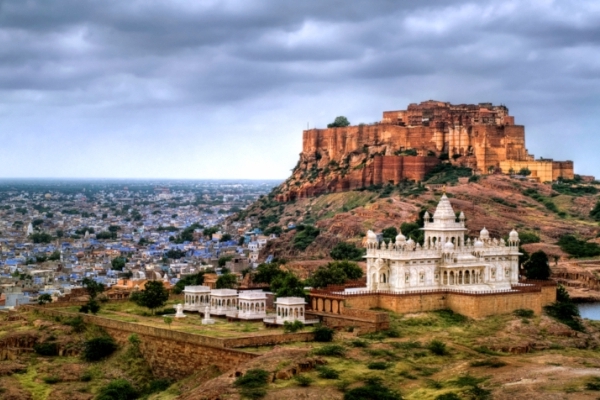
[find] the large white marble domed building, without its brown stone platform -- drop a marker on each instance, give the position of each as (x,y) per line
(446,259)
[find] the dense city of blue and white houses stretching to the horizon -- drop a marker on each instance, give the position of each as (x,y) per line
(120,233)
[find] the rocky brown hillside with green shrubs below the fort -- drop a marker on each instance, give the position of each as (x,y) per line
(497,202)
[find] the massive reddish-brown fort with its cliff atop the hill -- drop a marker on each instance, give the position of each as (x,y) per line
(407,144)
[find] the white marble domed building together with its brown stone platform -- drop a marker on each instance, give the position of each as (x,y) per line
(474,277)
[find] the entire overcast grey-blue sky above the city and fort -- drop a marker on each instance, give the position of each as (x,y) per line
(223,89)
